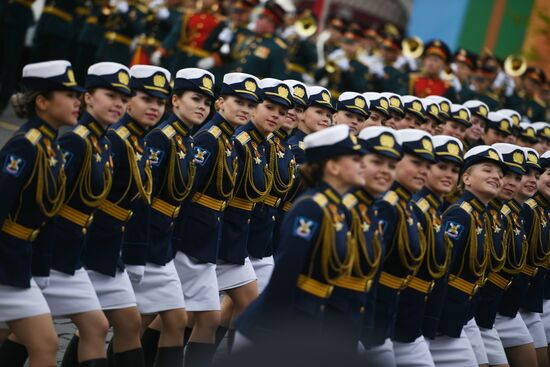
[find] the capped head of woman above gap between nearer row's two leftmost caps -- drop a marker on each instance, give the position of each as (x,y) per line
(352,110)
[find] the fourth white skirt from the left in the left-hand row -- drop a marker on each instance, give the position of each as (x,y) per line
(159,290)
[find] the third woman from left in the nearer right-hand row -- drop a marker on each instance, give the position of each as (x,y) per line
(406,270)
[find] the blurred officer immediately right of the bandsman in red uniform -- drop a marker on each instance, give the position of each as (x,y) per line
(465,62)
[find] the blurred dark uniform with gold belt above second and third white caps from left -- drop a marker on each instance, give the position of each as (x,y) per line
(120,30)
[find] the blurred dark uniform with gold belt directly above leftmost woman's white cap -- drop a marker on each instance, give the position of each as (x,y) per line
(54,31)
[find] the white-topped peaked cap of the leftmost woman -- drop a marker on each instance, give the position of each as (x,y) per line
(49,75)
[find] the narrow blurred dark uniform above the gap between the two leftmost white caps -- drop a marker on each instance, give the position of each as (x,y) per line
(89,38)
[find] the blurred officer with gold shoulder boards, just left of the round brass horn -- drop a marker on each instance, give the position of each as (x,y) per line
(267,52)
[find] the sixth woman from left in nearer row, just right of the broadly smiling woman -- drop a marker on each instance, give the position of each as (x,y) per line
(501,275)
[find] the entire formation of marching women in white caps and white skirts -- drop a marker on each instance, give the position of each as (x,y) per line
(396,245)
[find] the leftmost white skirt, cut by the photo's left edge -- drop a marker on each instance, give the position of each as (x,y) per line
(19,303)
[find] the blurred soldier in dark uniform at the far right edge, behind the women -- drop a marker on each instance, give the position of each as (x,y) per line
(527,100)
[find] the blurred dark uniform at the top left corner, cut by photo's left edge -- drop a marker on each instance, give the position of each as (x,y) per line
(16,18)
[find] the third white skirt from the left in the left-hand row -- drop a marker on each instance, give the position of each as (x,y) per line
(114,293)
